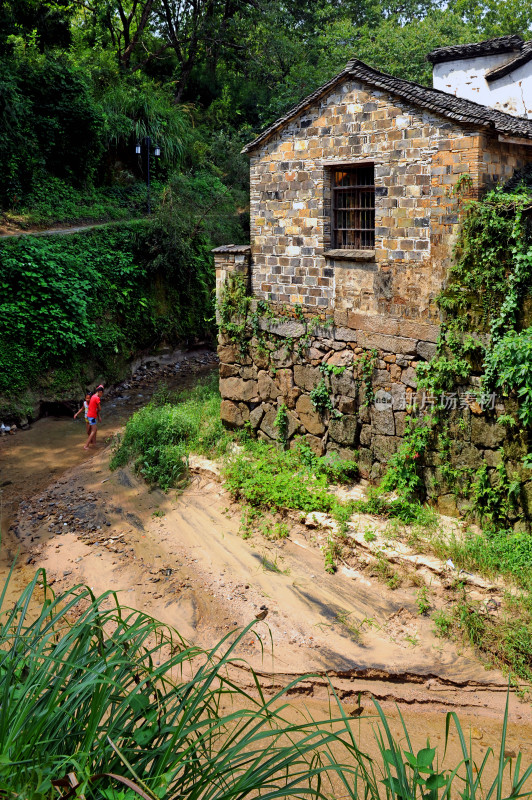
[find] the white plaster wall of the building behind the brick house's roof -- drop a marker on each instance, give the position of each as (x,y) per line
(466,78)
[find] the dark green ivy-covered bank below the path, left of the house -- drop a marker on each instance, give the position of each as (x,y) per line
(86,303)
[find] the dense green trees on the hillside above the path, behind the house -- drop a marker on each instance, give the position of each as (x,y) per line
(81,82)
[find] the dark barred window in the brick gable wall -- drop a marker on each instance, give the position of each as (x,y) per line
(353,203)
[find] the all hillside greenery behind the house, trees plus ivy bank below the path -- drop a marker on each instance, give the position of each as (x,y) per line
(82,83)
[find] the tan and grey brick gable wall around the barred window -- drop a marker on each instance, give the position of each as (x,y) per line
(418,158)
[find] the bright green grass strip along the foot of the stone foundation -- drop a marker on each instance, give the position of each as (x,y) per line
(266,478)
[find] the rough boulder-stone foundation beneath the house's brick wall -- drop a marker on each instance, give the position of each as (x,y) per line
(287,360)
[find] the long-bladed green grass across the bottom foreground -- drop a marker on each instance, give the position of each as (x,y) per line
(97,698)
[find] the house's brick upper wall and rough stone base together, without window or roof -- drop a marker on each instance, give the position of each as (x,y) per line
(381,300)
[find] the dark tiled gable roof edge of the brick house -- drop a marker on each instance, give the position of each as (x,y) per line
(447,105)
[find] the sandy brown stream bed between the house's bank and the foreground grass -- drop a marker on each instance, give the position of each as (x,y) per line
(181,558)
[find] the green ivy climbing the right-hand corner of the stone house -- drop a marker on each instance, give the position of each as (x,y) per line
(484,333)
